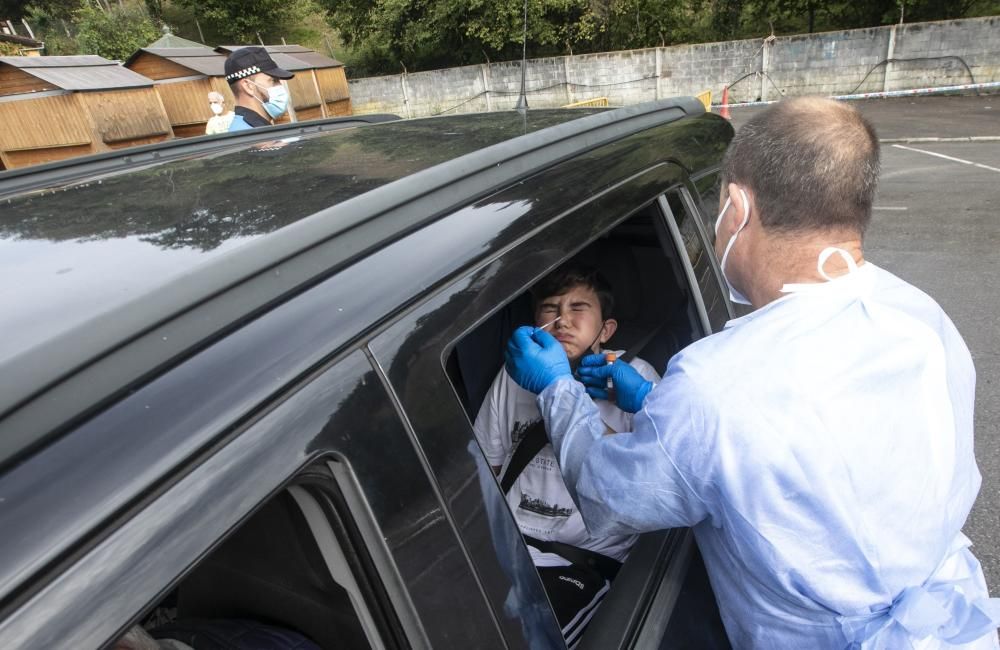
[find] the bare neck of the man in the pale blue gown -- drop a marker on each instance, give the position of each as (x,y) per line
(792,259)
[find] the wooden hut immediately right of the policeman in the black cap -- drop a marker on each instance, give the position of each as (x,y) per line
(319,88)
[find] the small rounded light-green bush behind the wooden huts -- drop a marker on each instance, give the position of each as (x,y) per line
(115,32)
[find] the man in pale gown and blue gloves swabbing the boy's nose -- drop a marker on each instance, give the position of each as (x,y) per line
(821,446)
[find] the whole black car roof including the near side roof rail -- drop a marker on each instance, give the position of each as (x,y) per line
(94,262)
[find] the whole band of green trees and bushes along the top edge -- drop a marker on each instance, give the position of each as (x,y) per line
(383,36)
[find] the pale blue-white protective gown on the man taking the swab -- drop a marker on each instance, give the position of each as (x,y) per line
(821,448)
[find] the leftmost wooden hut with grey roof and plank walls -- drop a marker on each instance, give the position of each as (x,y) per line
(55,107)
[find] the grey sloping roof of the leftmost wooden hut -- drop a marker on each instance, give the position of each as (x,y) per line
(78,72)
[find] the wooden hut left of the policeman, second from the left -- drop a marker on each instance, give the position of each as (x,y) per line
(183,76)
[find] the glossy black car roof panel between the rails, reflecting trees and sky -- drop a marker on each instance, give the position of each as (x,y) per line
(73,252)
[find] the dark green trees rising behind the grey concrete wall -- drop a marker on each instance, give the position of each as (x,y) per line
(382,36)
